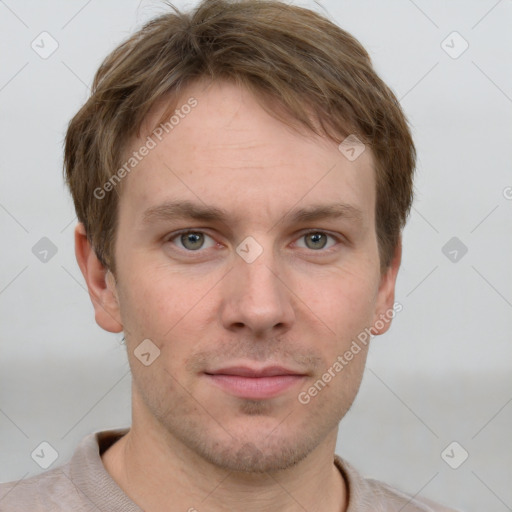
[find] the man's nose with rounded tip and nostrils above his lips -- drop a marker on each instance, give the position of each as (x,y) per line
(257,299)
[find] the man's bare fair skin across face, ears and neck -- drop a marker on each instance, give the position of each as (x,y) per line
(298,305)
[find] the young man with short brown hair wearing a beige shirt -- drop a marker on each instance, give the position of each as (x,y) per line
(241,176)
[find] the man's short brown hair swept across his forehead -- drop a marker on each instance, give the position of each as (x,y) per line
(319,74)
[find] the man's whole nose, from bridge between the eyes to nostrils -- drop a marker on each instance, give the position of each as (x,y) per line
(257,299)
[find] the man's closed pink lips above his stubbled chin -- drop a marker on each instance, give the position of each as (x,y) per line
(255,384)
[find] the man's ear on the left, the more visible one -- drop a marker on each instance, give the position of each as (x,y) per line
(100,283)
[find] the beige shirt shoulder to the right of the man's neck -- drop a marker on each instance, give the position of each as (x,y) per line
(372,495)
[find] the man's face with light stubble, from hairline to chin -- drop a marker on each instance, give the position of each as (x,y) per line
(246,252)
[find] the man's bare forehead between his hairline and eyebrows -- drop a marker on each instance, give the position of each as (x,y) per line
(220,147)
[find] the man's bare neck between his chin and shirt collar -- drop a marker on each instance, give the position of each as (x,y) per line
(155,470)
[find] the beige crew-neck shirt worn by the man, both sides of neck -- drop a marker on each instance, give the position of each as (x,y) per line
(84,485)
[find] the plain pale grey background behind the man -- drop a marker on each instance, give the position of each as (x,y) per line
(441,374)
